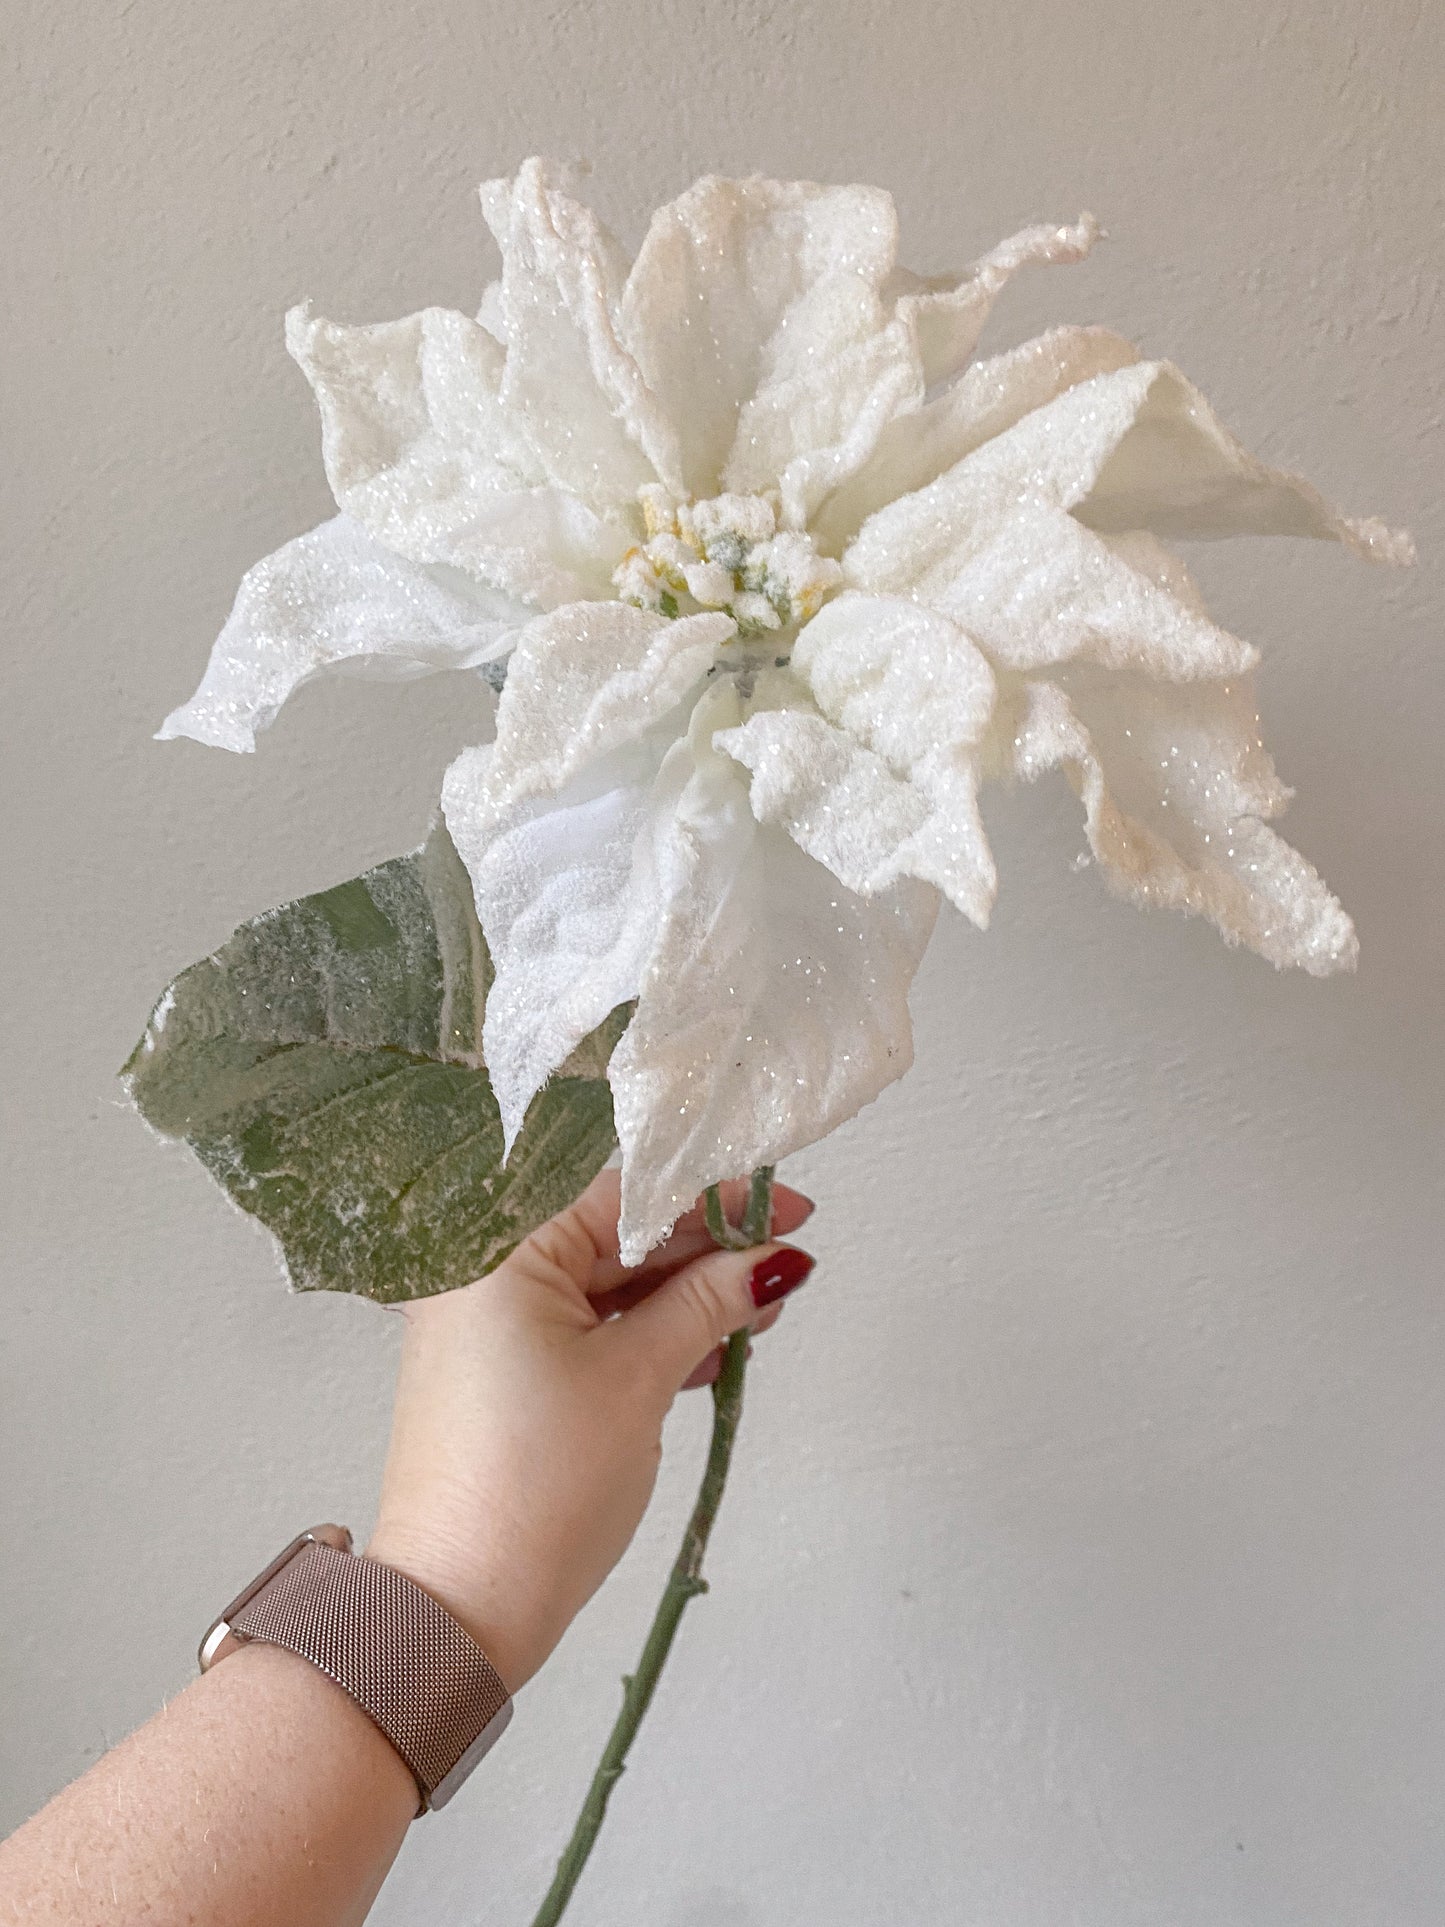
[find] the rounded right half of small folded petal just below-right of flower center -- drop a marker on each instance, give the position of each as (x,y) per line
(908,685)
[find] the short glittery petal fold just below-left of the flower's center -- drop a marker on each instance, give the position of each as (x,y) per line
(583,683)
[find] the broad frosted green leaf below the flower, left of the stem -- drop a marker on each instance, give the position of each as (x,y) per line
(327,1069)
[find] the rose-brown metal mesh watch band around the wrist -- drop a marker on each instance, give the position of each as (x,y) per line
(407,1664)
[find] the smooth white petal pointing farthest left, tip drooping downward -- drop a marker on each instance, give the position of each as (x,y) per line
(336,598)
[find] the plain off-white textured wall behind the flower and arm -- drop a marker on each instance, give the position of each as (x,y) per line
(1086,1560)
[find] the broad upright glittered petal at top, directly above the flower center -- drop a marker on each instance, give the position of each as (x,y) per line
(743,286)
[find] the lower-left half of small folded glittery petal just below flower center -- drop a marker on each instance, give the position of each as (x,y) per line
(851,812)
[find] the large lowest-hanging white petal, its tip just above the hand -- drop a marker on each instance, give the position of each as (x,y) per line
(775,1003)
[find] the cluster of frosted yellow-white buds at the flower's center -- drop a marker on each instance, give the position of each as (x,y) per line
(725,554)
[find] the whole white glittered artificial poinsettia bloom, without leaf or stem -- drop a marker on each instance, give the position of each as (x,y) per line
(783,575)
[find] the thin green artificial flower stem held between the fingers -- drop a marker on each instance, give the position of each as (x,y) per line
(687,1577)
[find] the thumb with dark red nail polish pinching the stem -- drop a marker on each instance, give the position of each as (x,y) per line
(708,1302)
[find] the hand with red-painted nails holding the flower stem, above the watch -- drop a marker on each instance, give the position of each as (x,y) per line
(529,1417)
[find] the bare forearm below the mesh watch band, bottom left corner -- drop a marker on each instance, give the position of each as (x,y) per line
(259,1799)
